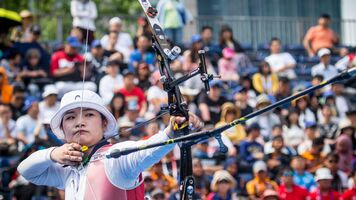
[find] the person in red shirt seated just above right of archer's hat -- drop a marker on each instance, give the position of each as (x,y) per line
(133,92)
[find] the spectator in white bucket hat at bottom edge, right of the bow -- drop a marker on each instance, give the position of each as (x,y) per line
(222,186)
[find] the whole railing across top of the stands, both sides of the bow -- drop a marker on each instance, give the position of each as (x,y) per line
(247,30)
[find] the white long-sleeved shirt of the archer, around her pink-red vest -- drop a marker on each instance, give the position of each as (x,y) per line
(123,172)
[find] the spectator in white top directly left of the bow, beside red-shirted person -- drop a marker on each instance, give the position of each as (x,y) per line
(156,96)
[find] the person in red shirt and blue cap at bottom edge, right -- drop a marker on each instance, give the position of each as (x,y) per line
(288,190)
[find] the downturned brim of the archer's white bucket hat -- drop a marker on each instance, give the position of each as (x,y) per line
(56,121)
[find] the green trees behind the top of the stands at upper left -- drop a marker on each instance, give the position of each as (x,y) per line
(49,14)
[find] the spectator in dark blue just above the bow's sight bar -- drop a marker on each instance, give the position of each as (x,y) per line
(211,48)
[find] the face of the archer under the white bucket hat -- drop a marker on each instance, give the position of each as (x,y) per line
(86,128)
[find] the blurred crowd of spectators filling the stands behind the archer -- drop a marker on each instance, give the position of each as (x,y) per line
(304,149)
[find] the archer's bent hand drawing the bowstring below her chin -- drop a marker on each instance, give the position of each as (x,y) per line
(67,154)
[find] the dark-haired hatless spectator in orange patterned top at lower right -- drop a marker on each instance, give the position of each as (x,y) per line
(314,156)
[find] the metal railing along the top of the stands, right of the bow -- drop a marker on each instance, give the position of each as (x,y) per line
(291,30)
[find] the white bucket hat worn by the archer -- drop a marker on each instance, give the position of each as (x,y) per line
(74,99)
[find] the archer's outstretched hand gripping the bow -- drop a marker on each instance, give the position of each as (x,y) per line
(194,123)
